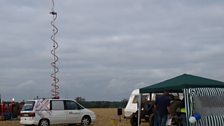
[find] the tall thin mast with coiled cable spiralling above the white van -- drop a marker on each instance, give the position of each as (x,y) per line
(54,84)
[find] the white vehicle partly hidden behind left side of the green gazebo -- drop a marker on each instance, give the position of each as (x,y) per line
(131,106)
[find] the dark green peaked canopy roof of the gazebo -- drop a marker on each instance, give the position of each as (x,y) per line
(177,84)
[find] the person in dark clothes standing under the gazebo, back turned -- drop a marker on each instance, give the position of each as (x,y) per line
(161,104)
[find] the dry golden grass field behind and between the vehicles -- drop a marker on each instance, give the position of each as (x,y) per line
(104,118)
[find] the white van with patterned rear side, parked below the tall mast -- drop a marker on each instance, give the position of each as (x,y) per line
(44,112)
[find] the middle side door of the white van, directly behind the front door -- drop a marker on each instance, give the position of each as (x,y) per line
(58,114)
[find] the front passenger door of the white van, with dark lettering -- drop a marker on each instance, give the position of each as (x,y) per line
(73,111)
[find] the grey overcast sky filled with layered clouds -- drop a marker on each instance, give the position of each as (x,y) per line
(107,48)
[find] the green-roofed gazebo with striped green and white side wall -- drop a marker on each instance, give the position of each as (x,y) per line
(202,95)
